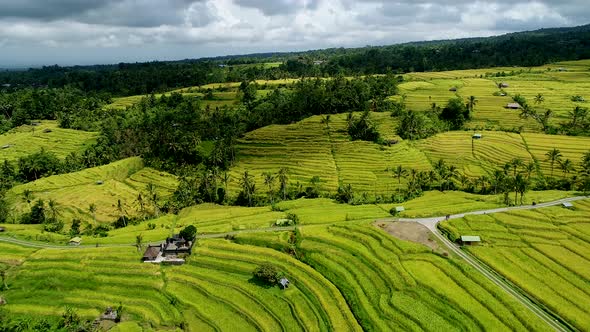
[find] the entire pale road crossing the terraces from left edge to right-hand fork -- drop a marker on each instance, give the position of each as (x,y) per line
(431,223)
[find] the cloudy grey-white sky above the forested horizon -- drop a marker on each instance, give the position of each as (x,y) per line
(36,32)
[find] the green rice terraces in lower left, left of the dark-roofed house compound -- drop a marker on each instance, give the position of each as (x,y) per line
(90,280)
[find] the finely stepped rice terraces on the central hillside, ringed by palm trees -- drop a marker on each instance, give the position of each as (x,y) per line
(308,148)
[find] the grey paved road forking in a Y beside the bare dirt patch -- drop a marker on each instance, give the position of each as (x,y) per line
(431,224)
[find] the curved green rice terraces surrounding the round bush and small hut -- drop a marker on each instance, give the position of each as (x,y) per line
(217,293)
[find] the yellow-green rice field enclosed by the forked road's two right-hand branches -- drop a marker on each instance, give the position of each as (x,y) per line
(544,252)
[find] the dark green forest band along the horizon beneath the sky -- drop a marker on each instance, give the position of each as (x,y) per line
(523,49)
